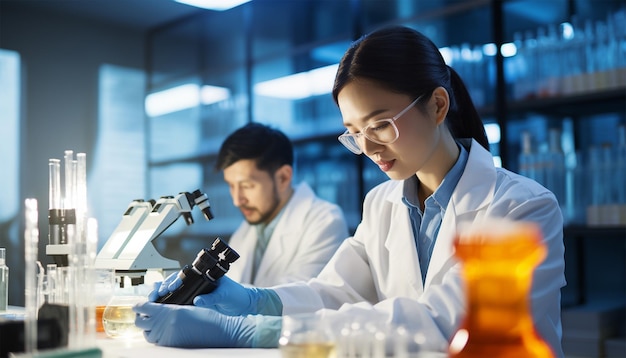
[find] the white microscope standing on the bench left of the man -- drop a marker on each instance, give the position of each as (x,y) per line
(130,251)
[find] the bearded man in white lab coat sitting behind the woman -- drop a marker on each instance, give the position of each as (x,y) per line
(288,233)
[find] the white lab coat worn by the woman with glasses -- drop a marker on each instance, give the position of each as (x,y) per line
(379,266)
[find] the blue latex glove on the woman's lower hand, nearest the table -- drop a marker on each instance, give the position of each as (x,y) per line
(193,327)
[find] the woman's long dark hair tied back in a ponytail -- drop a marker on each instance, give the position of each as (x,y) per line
(405,61)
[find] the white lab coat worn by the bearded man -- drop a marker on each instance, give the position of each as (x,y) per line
(307,235)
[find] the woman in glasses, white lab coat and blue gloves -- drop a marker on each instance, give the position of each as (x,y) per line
(411,114)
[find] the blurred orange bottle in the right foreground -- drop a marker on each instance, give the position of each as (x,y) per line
(497,267)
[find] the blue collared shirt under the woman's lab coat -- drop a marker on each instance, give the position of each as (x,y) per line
(426,224)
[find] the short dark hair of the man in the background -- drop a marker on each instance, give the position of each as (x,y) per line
(270,148)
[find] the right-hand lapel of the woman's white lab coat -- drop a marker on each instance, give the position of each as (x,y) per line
(473,192)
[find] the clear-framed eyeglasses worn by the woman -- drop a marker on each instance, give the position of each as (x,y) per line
(382,131)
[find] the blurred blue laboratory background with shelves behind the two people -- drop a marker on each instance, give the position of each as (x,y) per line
(148,89)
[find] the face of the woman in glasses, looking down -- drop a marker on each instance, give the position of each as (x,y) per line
(362,102)
